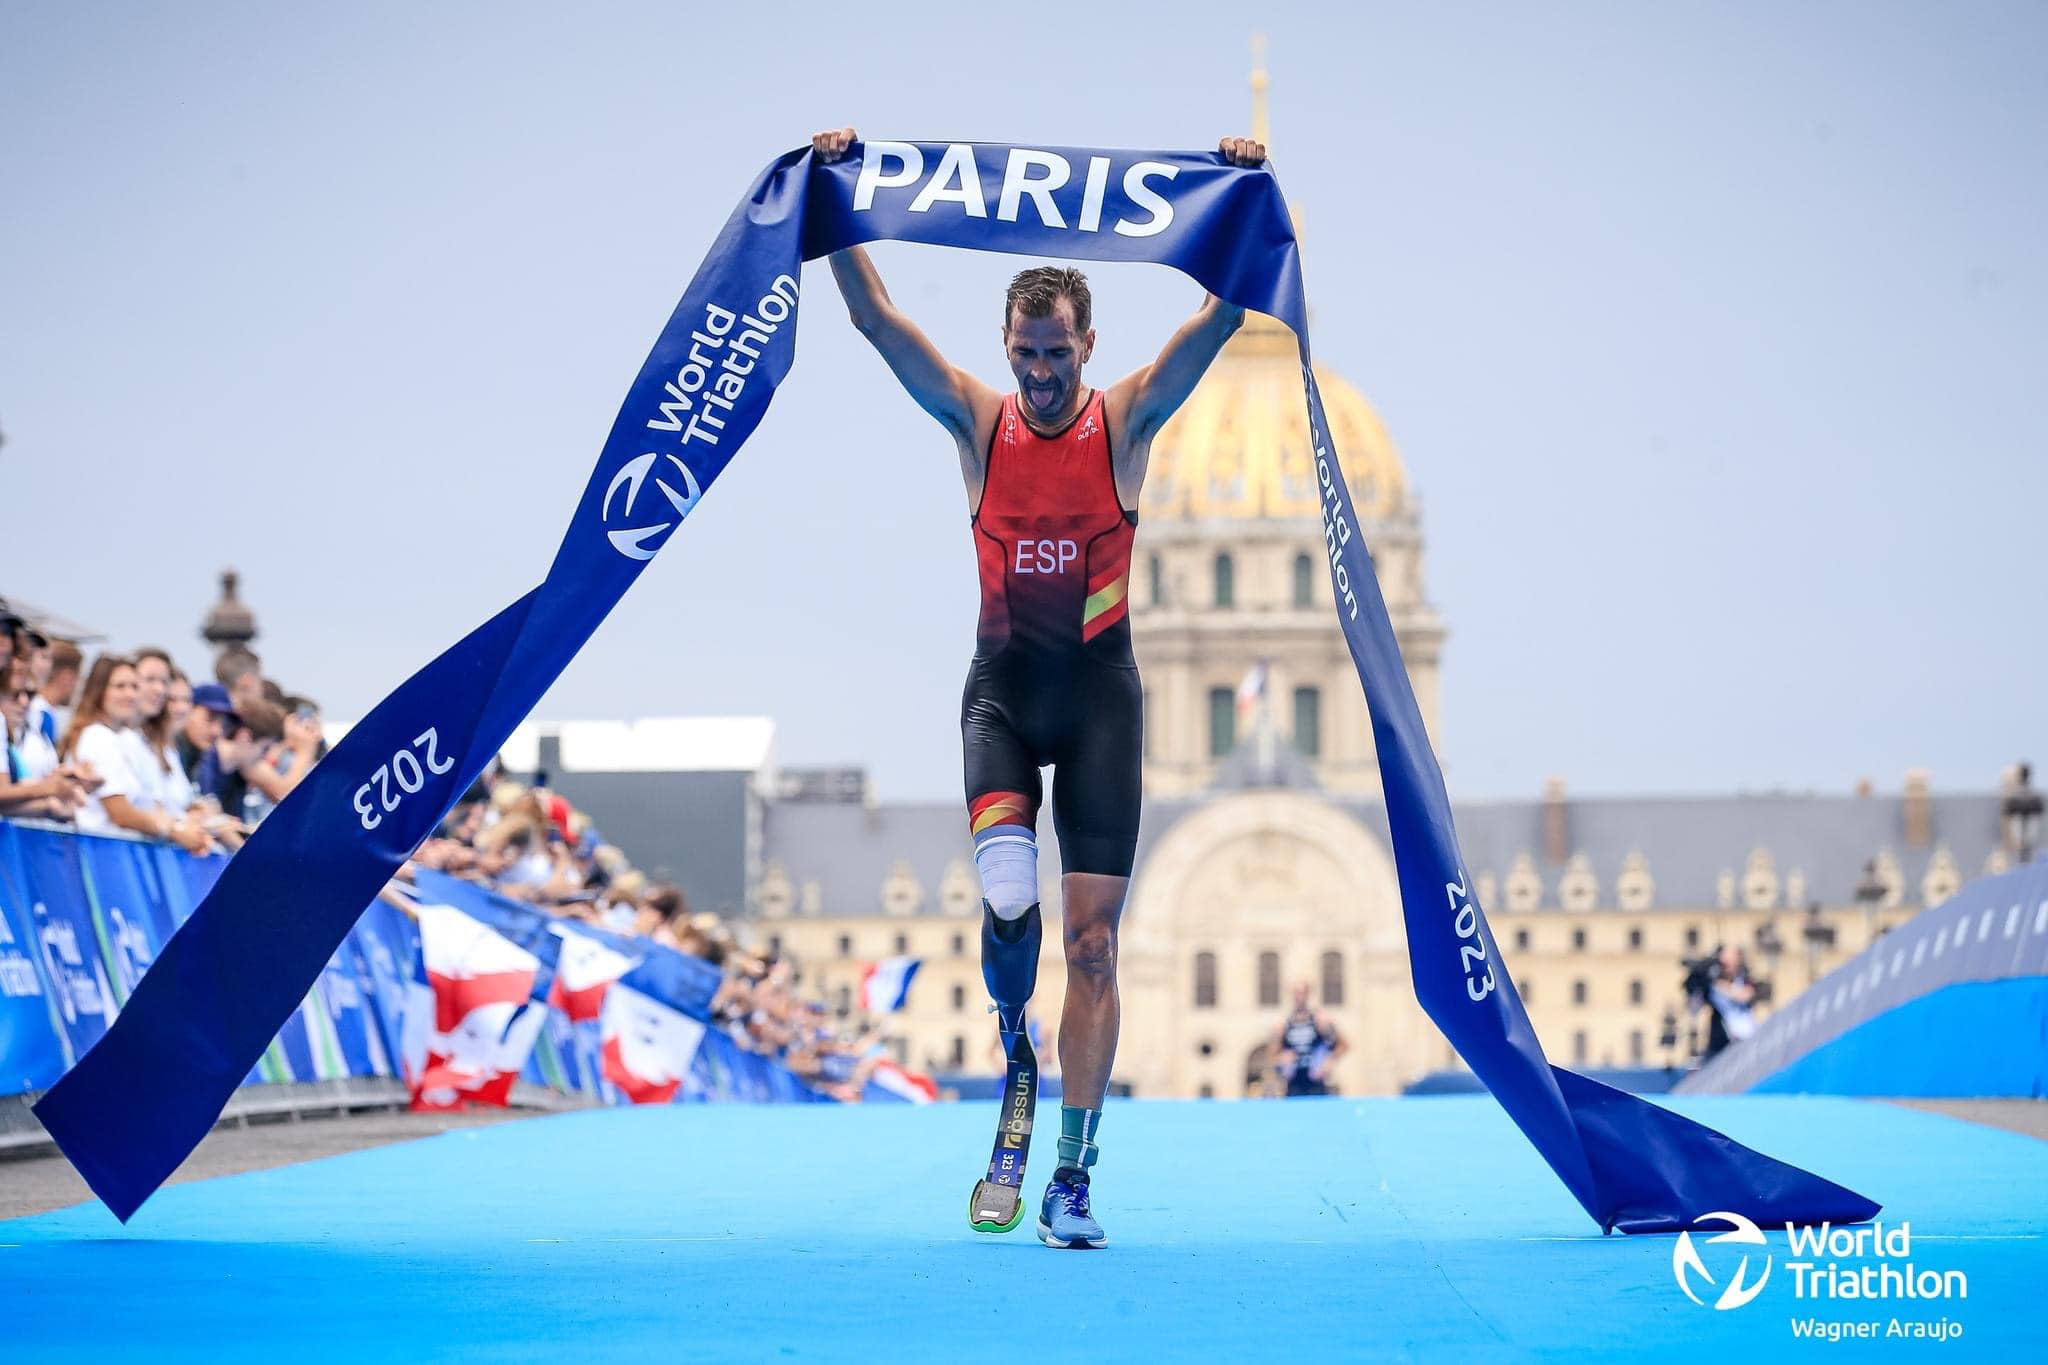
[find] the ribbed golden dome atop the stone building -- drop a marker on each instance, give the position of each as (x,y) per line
(1240,445)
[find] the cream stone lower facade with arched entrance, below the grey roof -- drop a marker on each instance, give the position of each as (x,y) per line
(1254,891)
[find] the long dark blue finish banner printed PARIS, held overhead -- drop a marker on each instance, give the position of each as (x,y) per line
(144,1096)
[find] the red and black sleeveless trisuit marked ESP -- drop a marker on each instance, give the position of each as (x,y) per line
(1054,678)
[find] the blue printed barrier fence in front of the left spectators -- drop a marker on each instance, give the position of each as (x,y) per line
(83,918)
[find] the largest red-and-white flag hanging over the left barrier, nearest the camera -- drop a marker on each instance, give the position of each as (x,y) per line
(472,1022)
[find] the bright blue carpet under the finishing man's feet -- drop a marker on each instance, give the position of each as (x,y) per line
(1406,1229)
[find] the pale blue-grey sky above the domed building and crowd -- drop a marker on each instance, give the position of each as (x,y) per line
(1713,337)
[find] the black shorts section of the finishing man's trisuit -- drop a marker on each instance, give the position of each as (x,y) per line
(1084,717)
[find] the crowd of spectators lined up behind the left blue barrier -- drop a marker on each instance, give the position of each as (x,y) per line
(134,746)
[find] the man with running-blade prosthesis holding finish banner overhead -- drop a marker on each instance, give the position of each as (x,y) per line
(1054,476)
